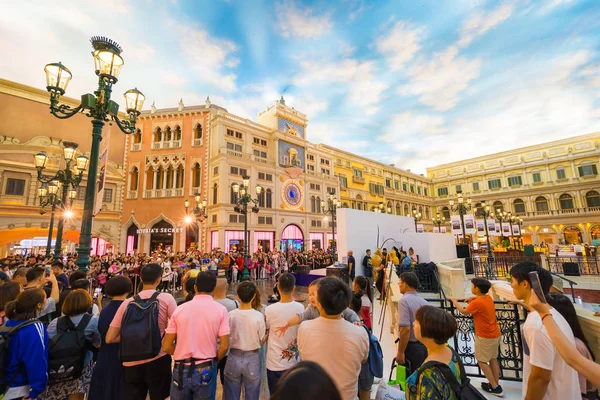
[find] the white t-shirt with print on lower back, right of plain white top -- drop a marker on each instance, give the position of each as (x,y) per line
(282,352)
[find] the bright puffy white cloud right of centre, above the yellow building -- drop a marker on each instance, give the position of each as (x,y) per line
(439,81)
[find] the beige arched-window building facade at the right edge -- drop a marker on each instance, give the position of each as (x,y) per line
(554,187)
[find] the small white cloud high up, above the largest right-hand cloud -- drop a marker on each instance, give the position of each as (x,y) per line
(400,44)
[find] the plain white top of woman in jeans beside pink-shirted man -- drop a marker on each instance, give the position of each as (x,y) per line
(247,329)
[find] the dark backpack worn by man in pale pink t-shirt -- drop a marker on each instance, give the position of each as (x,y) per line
(140,334)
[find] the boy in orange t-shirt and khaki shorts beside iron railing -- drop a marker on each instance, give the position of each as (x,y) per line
(487,333)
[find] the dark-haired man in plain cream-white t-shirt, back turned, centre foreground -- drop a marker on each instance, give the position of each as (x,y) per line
(332,342)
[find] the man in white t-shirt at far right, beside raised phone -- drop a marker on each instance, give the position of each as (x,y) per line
(546,375)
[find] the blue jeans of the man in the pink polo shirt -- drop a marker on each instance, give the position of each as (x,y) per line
(193,388)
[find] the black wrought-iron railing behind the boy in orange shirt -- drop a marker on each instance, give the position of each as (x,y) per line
(510,357)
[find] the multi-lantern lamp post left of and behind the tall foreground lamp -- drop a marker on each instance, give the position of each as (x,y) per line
(58,187)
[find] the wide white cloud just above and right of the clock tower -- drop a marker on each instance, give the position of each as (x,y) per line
(356,79)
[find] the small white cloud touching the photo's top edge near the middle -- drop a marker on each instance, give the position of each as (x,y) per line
(293,21)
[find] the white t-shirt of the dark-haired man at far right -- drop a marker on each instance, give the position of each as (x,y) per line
(539,351)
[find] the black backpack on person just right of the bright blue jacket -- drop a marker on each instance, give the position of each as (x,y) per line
(67,350)
